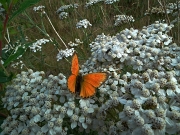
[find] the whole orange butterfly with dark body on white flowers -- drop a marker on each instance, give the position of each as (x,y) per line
(84,85)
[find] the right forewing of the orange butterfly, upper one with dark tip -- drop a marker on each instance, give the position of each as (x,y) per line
(95,79)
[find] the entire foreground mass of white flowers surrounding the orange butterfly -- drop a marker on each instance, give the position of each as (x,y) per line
(140,97)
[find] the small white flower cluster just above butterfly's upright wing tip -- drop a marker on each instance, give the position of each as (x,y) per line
(64,53)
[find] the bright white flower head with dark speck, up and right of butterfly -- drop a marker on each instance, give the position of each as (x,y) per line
(107,48)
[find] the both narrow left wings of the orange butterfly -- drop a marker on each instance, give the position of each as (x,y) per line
(75,72)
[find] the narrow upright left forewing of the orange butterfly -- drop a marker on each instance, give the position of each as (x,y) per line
(75,65)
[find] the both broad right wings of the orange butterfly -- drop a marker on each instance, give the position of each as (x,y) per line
(90,82)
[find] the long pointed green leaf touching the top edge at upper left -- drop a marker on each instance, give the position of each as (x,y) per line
(24,5)
